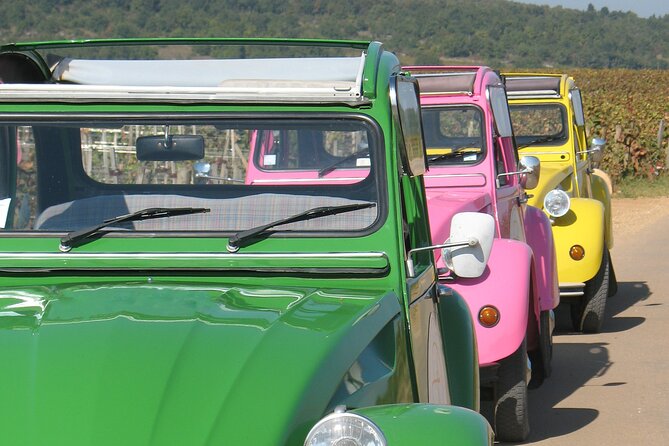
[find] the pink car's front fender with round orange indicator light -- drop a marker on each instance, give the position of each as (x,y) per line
(505,284)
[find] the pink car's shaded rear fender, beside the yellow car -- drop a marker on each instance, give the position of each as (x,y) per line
(539,235)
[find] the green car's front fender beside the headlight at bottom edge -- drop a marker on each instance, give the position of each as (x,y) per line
(413,424)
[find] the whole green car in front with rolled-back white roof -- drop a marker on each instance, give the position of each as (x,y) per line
(152,293)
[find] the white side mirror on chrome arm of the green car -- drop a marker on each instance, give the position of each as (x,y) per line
(469,260)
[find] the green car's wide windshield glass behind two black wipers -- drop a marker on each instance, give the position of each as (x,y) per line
(71,174)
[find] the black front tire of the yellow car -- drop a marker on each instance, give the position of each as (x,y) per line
(588,315)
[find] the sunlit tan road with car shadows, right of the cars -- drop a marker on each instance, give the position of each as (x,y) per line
(612,388)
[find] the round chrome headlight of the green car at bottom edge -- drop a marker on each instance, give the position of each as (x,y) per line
(345,429)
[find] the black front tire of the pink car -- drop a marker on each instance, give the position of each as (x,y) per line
(511,407)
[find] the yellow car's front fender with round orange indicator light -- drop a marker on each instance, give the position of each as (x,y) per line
(583,225)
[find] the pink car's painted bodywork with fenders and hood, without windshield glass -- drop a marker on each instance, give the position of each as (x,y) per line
(520,278)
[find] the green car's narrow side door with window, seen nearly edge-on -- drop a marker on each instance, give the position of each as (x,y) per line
(421,278)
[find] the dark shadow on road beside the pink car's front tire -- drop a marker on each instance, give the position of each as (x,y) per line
(547,420)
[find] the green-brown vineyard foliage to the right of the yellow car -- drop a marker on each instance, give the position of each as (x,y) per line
(628,107)
